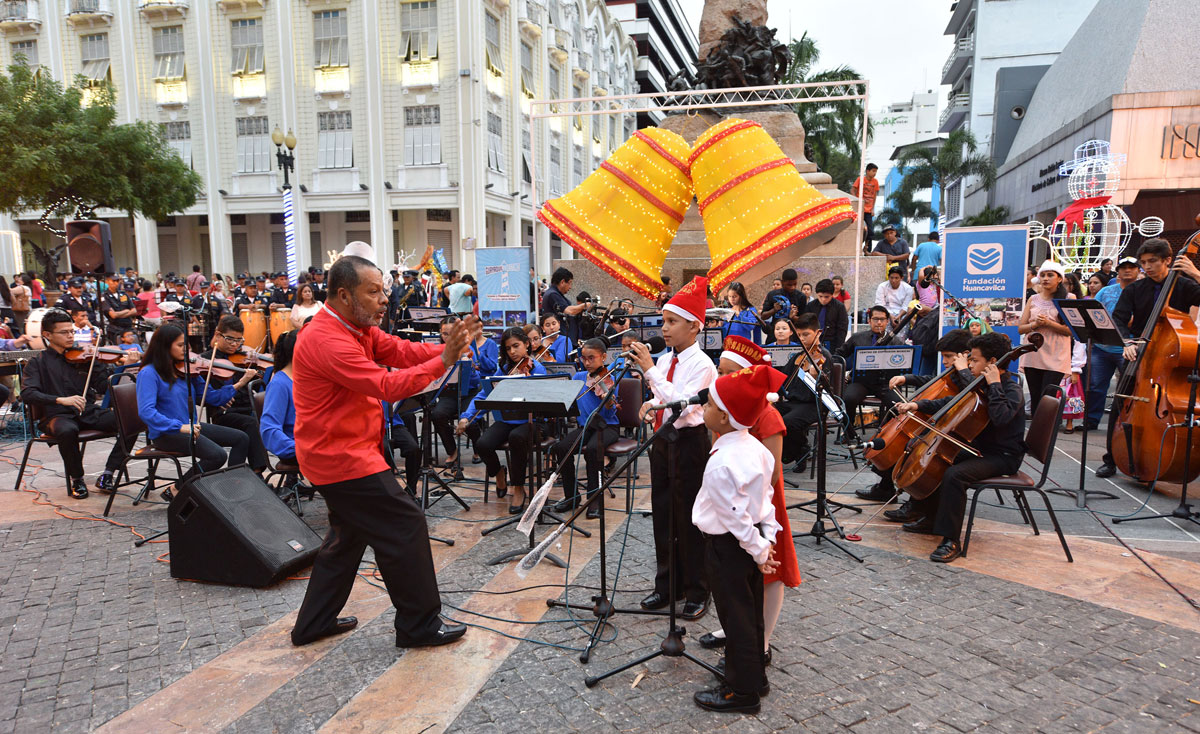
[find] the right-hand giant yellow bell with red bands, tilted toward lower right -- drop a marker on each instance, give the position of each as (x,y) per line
(760,214)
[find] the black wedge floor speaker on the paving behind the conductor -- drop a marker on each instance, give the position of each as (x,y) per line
(229,527)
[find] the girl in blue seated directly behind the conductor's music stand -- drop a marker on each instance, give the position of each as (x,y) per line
(517,362)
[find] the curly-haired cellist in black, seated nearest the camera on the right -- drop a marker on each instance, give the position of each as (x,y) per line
(1001,446)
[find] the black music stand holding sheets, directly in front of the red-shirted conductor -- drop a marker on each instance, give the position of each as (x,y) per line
(548,398)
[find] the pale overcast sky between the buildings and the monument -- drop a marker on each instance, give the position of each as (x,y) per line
(897,45)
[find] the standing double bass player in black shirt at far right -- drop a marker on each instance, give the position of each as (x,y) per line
(1137,305)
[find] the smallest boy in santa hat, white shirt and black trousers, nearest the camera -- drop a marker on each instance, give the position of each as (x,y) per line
(735,514)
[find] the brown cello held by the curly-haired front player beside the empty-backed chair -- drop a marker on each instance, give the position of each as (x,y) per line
(932,452)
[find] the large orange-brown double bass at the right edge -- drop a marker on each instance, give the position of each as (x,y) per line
(1149,435)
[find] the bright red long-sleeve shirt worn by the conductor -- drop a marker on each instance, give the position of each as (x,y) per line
(338,387)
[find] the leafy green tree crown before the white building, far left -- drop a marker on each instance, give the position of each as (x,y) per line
(53,146)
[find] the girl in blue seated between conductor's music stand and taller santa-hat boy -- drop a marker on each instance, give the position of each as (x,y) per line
(603,431)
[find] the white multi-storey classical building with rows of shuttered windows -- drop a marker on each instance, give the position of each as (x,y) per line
(411,117)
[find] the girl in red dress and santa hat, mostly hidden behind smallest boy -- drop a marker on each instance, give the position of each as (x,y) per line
(739,354)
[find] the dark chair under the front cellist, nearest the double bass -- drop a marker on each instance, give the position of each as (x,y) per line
(1040,442)
